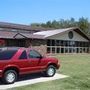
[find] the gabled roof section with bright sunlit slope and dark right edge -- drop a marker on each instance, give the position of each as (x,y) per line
(60,31)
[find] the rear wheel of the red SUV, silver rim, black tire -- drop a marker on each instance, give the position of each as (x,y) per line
(6,77)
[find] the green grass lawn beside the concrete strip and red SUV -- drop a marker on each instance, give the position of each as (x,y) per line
(77,67)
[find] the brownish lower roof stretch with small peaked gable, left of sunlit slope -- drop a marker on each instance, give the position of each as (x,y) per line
(14,35)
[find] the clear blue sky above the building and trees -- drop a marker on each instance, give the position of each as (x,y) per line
(39,11)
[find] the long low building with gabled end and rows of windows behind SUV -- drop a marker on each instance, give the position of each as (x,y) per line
(68,40)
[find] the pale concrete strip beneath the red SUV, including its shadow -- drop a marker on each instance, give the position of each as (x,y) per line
(31,79)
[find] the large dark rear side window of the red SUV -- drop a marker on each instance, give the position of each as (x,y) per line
(7,54)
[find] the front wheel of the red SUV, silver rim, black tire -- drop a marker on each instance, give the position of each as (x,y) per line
(50,71)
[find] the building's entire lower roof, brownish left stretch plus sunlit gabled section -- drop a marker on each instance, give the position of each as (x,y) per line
(39,35)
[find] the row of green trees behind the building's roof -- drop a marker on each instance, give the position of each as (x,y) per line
(82,23)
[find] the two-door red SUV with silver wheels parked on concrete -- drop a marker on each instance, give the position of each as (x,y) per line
(18,61)
